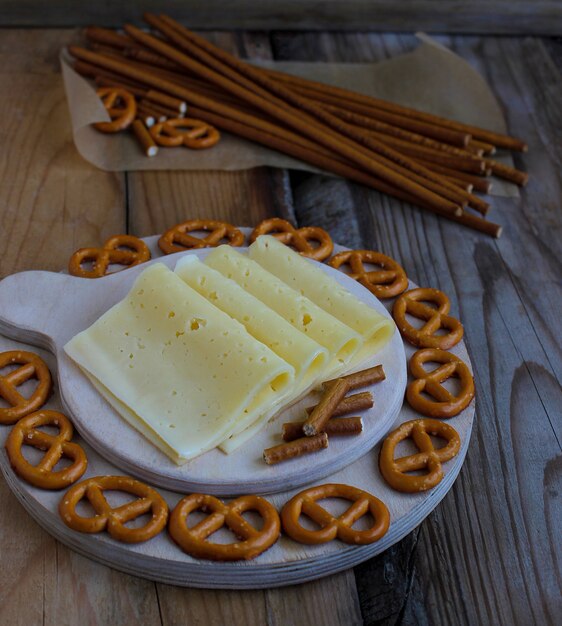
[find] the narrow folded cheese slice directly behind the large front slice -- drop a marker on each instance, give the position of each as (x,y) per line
(308,357)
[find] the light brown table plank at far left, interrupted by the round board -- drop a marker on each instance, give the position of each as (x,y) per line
(51,202)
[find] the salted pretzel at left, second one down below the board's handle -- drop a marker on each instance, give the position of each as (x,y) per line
(43,475)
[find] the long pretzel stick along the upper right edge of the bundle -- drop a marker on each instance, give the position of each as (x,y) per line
(496,139)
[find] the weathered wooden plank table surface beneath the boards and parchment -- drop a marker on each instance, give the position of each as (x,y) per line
(491,552)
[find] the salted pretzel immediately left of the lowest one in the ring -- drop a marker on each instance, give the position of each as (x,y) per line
(113,520)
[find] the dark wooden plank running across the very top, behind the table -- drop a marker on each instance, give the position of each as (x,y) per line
(541,17)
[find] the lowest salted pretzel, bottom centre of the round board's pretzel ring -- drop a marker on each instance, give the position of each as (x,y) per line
(194,540)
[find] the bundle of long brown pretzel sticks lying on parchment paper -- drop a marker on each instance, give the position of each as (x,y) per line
(431,162)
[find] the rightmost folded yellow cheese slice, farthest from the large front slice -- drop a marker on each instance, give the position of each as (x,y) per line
(302,275)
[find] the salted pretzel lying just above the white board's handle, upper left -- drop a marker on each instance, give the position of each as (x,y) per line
(120,250)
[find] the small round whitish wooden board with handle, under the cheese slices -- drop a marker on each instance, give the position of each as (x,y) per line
(47,309)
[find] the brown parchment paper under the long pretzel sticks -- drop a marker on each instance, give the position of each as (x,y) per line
(430,78)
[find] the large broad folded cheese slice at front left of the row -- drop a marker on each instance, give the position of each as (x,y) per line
(187,373)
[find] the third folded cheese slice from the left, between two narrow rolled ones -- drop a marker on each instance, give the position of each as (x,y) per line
(341,341)
